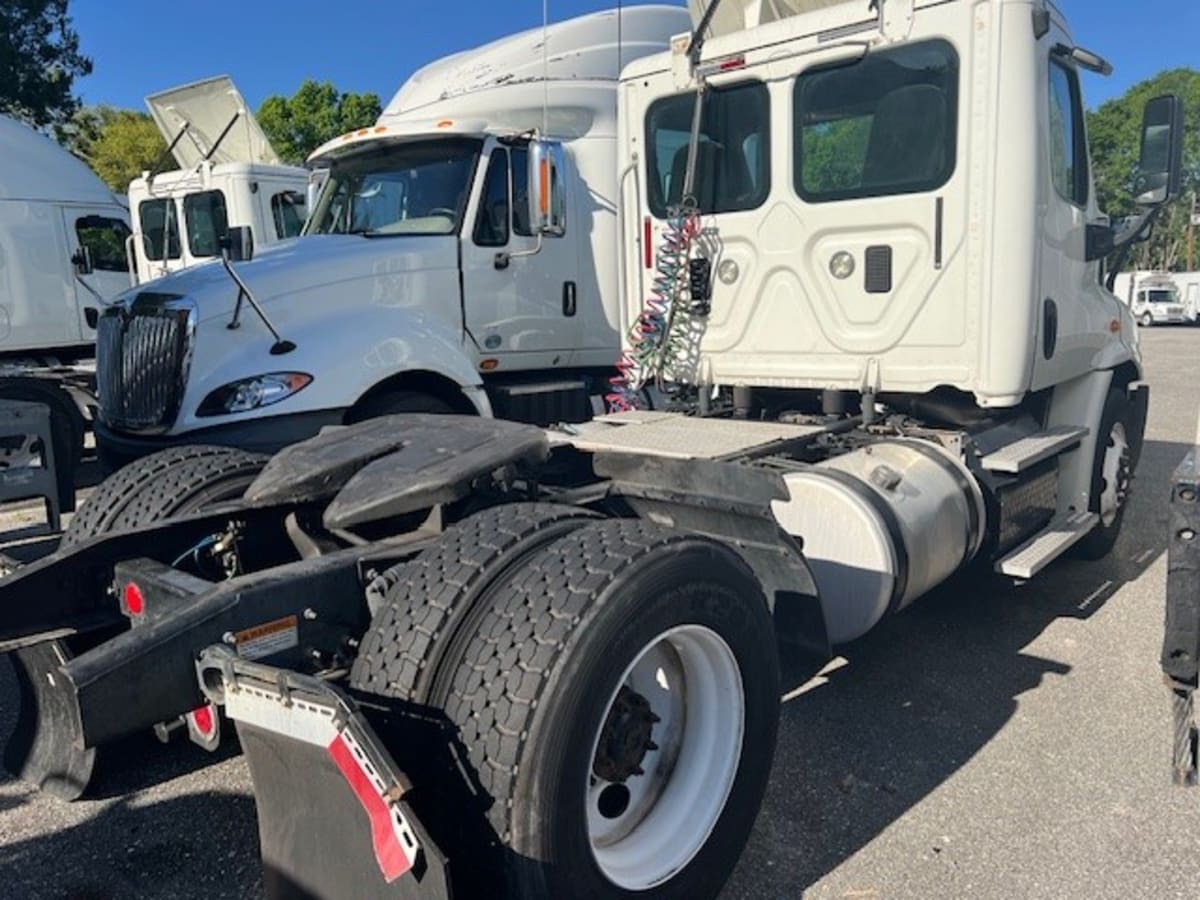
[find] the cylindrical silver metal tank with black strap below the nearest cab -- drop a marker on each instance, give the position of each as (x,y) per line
(881,526)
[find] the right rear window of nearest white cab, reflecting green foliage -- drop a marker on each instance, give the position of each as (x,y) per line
(881,127)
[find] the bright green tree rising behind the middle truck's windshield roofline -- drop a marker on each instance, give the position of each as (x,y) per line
(316,113)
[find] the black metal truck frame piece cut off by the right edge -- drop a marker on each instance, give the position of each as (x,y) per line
(1181,641)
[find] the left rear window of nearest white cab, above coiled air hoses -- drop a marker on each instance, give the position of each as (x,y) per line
(733,159)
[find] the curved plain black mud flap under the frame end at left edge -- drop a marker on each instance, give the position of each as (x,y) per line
(46,749)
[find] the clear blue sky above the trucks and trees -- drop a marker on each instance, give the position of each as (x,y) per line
(272,46)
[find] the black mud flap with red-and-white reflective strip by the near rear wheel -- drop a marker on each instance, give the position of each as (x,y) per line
(333,821)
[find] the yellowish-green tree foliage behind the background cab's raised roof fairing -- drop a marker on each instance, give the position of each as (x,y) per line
(118,145)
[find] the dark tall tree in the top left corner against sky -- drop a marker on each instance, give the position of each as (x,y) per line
(40,61)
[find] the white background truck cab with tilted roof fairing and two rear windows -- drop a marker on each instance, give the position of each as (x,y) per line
(229,176)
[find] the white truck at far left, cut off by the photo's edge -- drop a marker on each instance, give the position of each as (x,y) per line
(63,238)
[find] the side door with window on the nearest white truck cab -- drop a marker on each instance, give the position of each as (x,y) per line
(1076,313)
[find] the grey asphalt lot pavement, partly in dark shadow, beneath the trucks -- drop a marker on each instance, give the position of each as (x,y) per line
(994,741)
